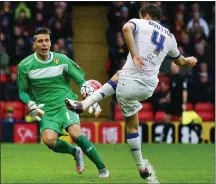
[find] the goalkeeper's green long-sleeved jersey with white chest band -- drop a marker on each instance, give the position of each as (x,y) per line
(48,82)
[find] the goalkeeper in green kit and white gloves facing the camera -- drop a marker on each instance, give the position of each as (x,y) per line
(44,83)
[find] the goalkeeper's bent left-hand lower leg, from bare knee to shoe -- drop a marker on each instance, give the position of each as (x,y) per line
(50,139)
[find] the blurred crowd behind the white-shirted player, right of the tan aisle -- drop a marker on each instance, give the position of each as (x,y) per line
(193,24)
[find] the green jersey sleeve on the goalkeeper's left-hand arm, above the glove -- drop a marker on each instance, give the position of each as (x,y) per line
(23,85)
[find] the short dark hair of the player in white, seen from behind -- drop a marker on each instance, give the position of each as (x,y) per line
(153,10)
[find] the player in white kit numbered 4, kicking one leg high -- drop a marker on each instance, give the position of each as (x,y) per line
(148,43)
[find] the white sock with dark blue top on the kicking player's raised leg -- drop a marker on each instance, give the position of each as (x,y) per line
(106,90)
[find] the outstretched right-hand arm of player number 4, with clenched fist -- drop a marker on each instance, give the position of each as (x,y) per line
(178,58)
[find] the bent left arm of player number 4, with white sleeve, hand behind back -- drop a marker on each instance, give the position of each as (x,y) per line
(128,29)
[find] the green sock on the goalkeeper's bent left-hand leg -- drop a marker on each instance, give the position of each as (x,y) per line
(63,147)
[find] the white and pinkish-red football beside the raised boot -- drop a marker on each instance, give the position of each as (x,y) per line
(89,87)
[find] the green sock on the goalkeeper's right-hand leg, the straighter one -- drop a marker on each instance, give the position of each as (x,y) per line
(89,149)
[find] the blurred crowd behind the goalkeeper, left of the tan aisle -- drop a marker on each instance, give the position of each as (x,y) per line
(19,20)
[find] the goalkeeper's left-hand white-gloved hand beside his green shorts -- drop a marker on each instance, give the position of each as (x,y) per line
(35,110)
